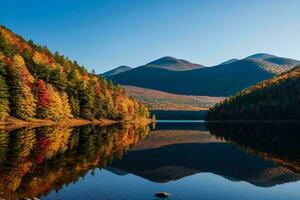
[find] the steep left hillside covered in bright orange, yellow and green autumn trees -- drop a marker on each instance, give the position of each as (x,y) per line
(35,83)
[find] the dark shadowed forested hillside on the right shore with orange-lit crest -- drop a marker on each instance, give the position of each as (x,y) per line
(274,99)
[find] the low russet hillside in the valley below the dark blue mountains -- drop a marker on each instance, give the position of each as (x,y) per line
(157,100)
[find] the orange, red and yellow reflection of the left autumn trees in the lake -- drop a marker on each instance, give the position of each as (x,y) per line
(35,161)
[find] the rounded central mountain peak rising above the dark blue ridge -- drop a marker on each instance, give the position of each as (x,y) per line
(173,64)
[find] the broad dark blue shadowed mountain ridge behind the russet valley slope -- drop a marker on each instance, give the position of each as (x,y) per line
(220,80)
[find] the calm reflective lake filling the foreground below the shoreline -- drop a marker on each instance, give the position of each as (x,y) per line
(189,160)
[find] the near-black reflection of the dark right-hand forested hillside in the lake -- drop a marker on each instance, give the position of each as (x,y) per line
(278,142)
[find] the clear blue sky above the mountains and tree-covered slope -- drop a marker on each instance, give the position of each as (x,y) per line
(102,34)
